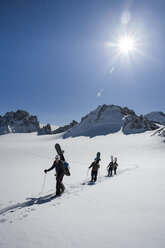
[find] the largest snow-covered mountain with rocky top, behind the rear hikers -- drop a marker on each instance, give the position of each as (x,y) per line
(110,119)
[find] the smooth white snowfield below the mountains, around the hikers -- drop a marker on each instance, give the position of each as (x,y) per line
(124,211)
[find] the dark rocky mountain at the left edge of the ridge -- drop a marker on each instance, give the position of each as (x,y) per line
(18,122)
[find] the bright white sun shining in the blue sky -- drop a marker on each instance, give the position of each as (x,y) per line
(126,45)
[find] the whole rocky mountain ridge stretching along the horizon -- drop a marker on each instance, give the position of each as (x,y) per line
(103,120)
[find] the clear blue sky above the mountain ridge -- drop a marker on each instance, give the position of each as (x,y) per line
(56,61)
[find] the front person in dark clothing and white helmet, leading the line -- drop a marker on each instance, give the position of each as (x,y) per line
(58,165)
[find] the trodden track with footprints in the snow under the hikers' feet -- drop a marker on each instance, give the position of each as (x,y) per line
(26,207)
